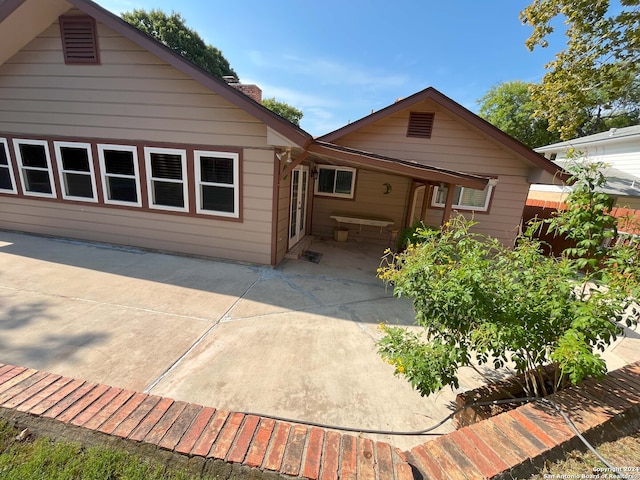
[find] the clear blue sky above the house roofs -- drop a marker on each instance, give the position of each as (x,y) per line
(339,60)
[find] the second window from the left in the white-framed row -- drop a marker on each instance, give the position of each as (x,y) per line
(34,167)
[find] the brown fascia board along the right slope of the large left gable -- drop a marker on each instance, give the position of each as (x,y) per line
(239,99)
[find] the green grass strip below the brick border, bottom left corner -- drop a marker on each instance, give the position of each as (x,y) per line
(44,459)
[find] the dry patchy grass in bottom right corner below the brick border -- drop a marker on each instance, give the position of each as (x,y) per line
(621,453)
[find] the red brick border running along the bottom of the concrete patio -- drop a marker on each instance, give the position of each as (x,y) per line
(505,445)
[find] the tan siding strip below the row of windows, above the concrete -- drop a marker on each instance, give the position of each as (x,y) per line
(194,236)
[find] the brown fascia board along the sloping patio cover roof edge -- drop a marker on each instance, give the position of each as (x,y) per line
(418,171)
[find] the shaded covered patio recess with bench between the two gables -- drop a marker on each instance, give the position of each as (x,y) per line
(348,194)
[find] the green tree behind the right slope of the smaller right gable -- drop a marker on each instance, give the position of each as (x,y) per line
(509,107)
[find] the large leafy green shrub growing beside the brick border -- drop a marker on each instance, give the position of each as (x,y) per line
(478,300)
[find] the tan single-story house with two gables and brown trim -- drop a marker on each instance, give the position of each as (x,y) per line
(107,135)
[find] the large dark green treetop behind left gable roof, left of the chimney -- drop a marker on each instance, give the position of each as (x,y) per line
(172,31)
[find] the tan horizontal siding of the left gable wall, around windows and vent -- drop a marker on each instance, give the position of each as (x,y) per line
(134,98)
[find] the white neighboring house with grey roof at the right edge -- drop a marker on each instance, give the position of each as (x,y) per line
(618,149)
